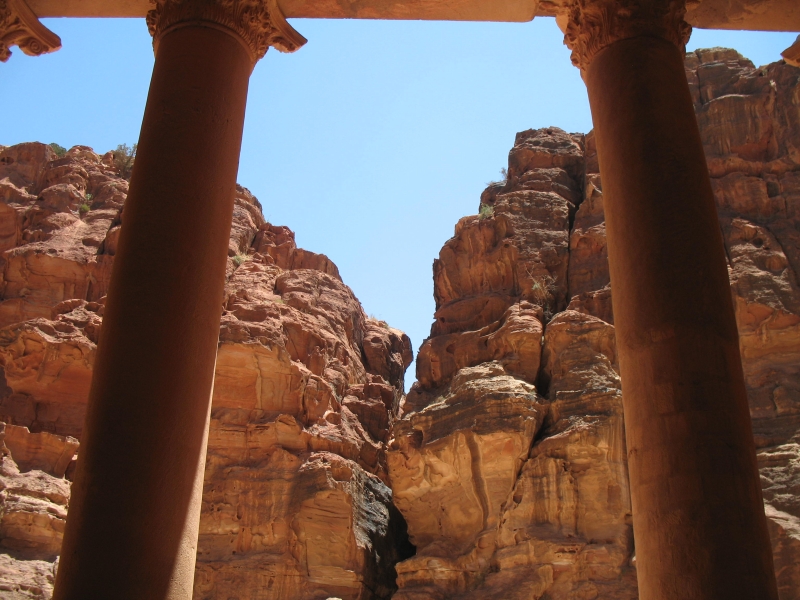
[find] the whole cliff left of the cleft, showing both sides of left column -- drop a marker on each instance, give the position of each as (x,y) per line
(296,502)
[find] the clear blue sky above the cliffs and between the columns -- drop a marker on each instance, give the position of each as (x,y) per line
(370,142)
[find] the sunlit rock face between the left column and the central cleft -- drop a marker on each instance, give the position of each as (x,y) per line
(295,502)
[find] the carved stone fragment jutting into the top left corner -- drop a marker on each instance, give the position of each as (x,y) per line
(19,26)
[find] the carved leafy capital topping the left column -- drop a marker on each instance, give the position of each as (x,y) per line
(259,24)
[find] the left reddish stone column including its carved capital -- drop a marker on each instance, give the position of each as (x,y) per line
(133,518)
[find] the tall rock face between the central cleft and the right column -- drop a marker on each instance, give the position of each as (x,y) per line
(509,460)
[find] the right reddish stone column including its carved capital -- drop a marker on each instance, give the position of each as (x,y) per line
(698,515)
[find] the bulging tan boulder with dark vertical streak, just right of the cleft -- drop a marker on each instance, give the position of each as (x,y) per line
(451,481)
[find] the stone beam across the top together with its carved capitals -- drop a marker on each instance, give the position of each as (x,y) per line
(767,15)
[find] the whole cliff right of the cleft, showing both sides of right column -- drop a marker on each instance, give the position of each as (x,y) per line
(509,458)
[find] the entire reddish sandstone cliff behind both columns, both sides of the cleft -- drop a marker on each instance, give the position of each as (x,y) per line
(506,461)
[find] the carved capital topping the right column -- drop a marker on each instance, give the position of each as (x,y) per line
(591,25)
